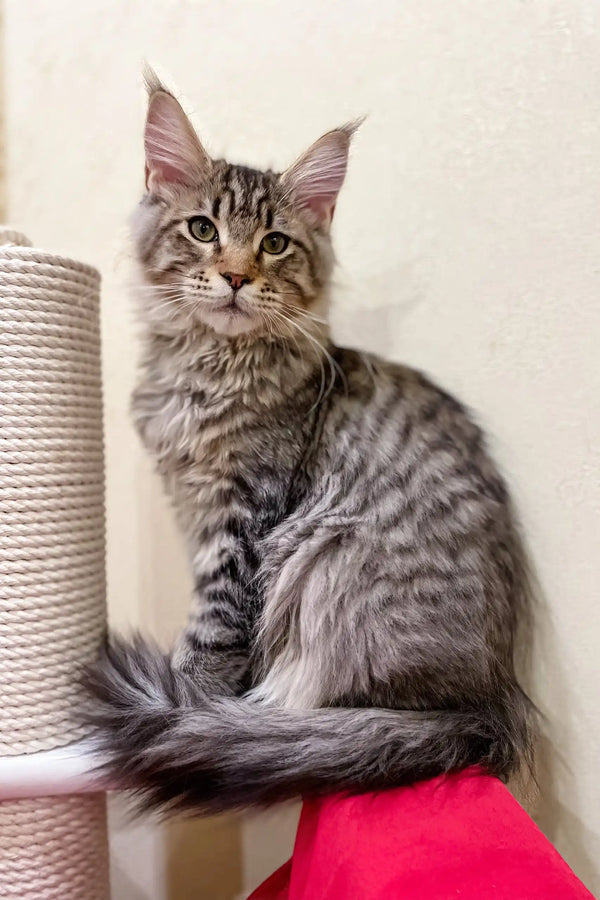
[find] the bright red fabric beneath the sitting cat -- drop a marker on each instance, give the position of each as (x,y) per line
(463,836)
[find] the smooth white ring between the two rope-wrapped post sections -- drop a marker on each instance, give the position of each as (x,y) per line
(65,770)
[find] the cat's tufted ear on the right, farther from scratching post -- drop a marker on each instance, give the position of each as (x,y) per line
(313,182)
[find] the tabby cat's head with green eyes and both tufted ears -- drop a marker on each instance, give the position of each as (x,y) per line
(235,249)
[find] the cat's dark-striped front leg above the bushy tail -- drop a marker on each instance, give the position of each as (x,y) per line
(215,645)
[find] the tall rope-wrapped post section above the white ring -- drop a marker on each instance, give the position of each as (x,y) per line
(52,584)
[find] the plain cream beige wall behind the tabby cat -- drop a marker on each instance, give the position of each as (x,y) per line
(468,237)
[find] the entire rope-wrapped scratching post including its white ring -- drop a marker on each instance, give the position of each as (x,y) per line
(53,838)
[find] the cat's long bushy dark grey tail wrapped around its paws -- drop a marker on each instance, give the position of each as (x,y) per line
(182,750)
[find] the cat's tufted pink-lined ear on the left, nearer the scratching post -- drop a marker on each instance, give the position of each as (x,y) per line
(174,155)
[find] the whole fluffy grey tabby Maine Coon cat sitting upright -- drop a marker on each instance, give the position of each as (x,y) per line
(359,578)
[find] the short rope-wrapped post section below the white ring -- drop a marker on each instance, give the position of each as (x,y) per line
(54,848)
